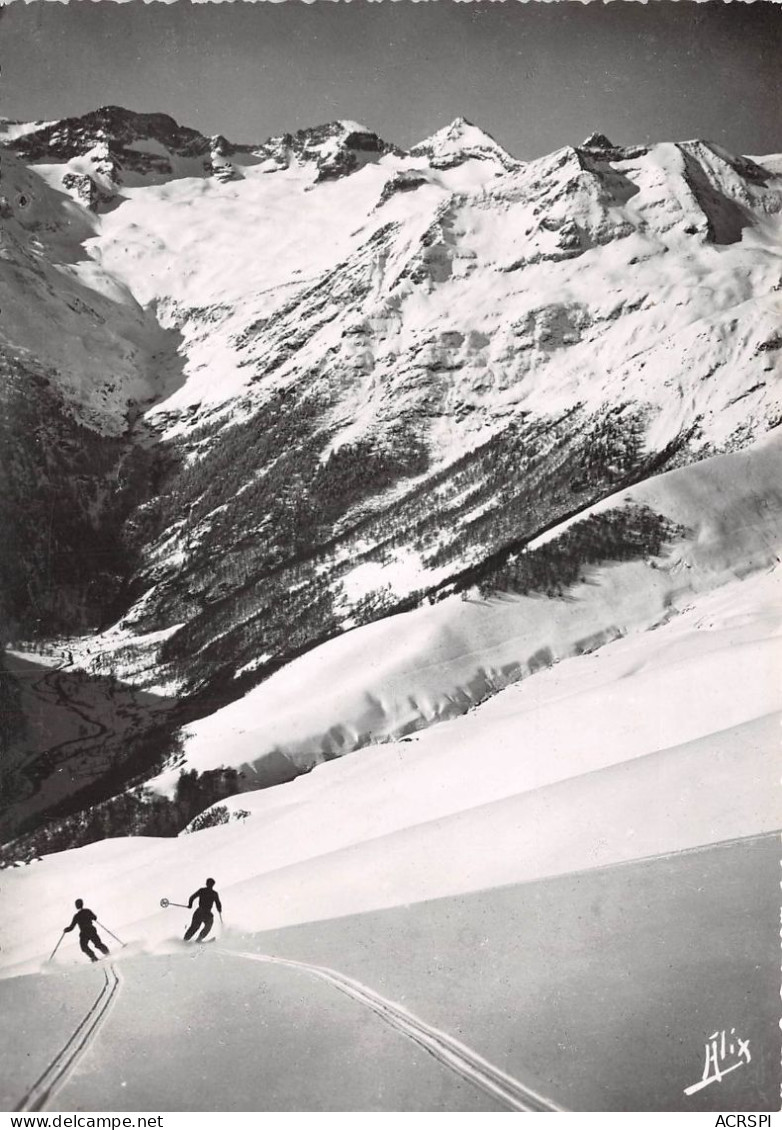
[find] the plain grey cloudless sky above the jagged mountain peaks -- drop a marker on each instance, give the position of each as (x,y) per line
(536,76)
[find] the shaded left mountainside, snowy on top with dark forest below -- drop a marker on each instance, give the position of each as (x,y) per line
(80,359)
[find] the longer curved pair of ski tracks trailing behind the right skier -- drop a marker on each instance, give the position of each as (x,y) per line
(449,1051)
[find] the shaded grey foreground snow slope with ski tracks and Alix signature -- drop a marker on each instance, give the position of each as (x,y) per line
(520,998)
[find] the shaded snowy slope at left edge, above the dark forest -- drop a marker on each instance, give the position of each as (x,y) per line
(66,318)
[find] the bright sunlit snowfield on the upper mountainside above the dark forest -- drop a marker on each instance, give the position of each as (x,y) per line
(465,260)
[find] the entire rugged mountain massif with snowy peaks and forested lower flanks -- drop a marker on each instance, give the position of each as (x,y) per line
(352,380)
